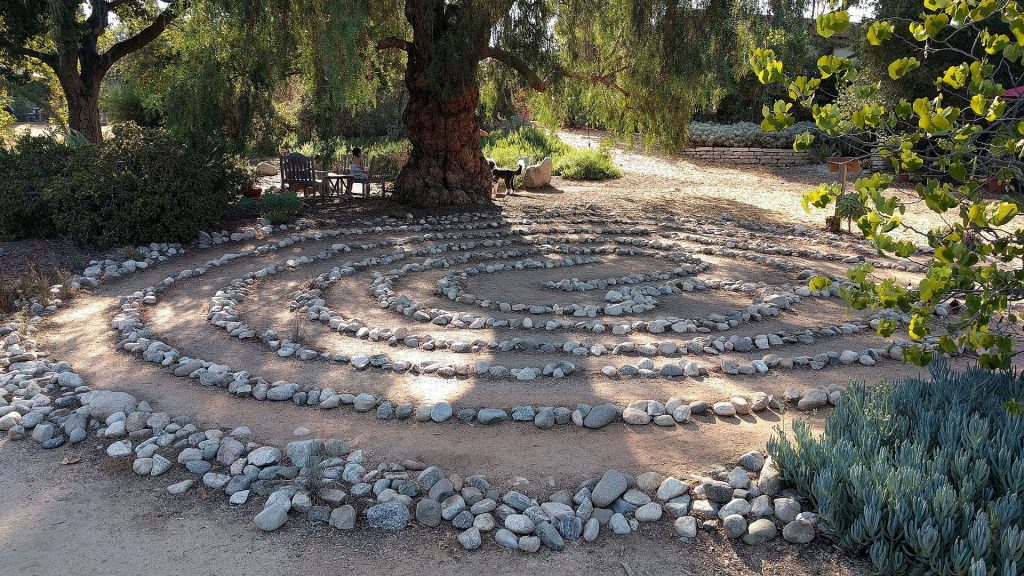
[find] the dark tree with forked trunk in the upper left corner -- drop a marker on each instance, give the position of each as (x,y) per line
(67,36)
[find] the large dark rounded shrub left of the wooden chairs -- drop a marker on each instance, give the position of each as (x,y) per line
(142,186)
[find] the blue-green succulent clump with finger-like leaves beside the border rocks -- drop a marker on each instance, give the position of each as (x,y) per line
(924,476)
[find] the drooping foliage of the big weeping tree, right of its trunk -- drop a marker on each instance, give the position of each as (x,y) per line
(644,68)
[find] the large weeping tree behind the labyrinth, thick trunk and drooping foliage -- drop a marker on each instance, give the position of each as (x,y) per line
(641,64)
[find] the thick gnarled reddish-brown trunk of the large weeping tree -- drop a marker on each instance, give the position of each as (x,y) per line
(446,167)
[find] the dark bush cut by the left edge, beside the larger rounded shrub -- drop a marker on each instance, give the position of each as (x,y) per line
(26,172)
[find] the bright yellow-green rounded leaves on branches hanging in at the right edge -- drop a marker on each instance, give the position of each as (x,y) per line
(959,136)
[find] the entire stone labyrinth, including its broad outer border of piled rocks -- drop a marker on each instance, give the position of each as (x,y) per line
(550,345)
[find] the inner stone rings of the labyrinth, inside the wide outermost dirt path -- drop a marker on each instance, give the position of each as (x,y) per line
(567,296)
